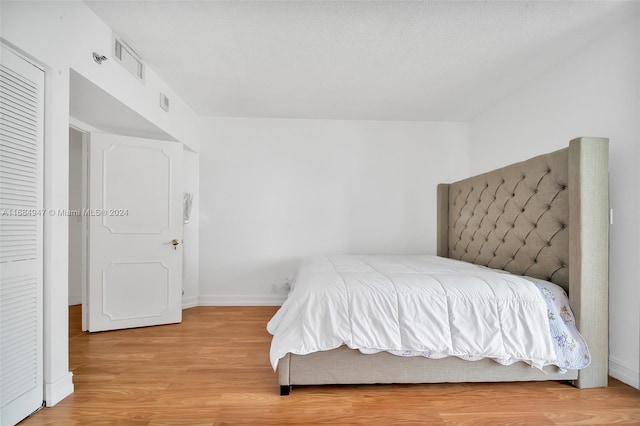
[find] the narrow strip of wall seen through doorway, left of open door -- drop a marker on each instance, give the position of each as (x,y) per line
(75,222)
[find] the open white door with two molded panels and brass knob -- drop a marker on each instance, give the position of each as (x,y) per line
(134,213)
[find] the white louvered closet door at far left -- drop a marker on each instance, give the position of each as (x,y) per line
(21,203)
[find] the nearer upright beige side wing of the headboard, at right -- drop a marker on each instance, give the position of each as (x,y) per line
(589,268)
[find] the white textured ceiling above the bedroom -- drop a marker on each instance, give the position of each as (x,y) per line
(378,60)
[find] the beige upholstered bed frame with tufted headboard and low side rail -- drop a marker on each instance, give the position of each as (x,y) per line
(546,217)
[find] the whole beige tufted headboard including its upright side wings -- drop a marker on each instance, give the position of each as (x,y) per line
(546,217)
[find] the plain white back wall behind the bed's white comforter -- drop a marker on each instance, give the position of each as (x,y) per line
(275,190)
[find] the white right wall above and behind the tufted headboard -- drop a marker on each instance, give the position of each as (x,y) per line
(593,93)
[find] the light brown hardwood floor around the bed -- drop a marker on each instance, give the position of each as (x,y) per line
(213,369)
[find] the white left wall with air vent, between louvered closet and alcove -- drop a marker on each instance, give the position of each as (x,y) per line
(60,35)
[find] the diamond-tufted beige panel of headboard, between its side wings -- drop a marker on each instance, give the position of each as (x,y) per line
(514,218)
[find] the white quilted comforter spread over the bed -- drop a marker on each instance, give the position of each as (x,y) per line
(434,306)
